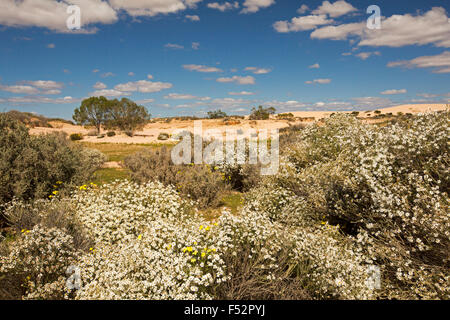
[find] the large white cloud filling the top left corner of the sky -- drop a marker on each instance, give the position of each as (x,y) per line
(52,14)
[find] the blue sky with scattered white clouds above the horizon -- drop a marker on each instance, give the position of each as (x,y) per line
(186,57)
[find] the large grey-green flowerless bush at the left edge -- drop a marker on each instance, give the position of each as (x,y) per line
(31,165)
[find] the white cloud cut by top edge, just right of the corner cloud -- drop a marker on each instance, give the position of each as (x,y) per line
(153,7)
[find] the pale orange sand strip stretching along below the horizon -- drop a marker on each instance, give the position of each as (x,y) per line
(151,131)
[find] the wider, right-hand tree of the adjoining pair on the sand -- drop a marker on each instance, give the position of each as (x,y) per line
(126,115)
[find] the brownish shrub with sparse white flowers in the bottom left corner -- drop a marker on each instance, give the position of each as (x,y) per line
(35,266)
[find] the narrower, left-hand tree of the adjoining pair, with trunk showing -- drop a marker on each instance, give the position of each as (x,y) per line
(93,111)
